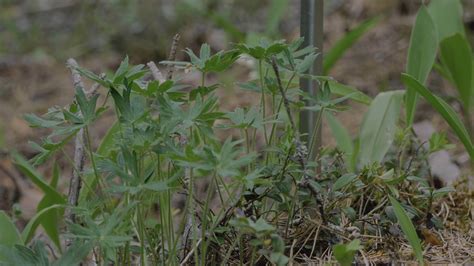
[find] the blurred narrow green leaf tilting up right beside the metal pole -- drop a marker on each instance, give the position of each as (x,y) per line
(346,42)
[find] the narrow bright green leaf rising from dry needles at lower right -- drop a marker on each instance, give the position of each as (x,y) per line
(408,229)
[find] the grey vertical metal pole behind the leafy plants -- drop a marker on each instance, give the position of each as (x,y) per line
(311,28)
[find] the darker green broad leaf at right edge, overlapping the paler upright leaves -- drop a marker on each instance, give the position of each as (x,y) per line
(456,54)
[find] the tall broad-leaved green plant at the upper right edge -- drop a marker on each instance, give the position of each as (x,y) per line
(433,28)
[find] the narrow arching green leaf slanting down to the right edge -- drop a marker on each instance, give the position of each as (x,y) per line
(444,109)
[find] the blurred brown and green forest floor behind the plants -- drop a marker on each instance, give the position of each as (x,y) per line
(37,37)
